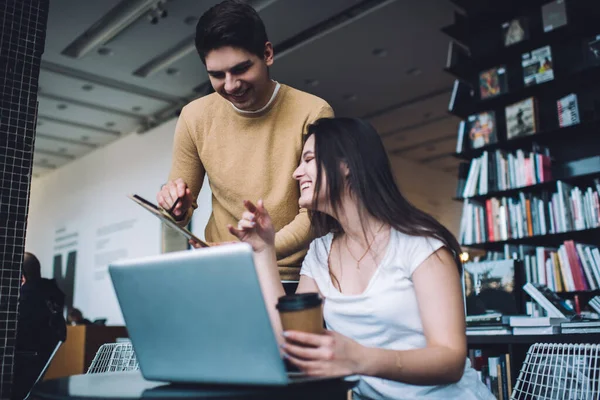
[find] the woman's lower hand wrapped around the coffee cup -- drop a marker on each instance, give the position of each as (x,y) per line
(329,354)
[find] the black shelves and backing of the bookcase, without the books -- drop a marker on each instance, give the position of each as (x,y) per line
(478,28)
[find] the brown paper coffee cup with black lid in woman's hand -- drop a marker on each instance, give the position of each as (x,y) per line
(301,312)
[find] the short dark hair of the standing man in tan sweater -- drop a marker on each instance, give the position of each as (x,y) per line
(231,23)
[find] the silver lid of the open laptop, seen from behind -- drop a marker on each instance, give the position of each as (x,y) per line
(199,316)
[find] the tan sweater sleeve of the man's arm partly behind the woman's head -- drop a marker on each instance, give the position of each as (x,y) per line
(296,236)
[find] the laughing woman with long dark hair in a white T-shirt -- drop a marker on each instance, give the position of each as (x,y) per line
(389,274)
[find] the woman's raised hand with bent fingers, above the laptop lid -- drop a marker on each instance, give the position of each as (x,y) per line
(255,227)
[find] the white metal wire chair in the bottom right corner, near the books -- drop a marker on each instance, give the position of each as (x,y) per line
(559,371)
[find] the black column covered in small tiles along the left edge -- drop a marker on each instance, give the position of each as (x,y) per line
(22,38)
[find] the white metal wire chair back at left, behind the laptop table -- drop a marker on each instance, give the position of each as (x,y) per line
(114,357)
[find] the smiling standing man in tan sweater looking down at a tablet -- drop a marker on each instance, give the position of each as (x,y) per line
(247,137)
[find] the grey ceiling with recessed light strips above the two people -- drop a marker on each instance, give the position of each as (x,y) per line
(376,59)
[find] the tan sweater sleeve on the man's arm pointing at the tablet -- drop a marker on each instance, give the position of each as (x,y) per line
(186,163)
